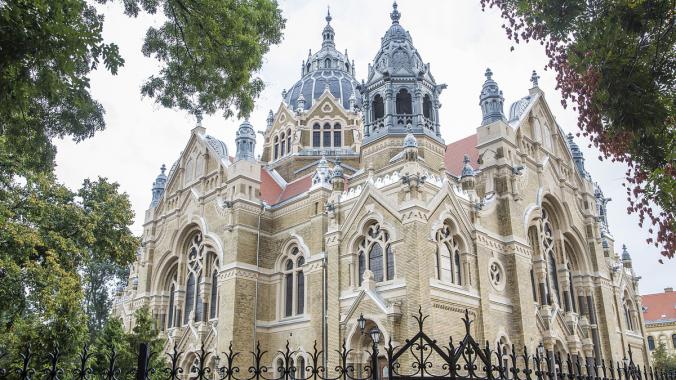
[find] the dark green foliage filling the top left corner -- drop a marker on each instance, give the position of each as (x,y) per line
(47,50)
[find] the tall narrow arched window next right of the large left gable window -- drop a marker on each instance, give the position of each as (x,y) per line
(294,283)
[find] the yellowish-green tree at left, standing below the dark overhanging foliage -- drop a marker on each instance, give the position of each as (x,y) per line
(47,235)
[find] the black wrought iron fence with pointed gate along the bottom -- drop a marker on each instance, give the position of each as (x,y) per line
(420,357)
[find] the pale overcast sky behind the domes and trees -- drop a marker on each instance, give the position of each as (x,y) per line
(456,37)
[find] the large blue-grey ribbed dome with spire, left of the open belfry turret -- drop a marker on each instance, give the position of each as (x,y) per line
(327,67)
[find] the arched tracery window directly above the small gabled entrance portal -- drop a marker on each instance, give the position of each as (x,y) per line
(375,251)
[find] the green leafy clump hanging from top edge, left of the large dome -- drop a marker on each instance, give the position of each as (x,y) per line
(210,51)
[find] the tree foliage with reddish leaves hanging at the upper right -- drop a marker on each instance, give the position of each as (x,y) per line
(615,62)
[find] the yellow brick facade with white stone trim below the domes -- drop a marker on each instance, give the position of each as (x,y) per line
(525,203)
